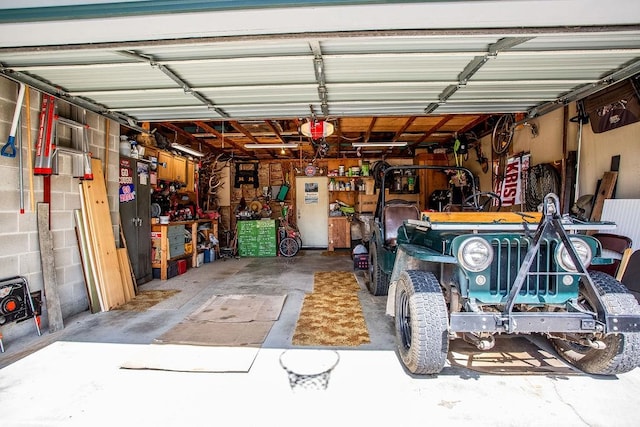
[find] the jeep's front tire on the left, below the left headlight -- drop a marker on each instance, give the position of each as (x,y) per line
(421,323)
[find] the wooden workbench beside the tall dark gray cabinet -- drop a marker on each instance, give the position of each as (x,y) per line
(160,236)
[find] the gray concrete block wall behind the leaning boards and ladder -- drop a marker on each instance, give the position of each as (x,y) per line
(19,243)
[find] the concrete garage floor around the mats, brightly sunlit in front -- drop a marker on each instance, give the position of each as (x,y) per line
(73,377)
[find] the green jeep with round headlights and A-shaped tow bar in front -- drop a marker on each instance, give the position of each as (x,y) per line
(472,275)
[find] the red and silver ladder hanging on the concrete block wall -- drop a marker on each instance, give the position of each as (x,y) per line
(48,149)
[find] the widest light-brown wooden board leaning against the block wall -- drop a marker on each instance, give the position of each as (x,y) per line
(98,217)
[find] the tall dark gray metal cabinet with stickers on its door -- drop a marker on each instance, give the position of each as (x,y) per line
(135,214)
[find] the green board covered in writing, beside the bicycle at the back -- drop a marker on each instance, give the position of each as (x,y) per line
(257,238)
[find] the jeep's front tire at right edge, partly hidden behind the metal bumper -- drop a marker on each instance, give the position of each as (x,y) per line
(622,353)
